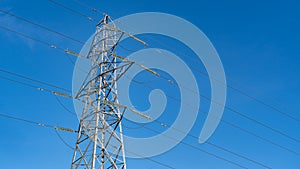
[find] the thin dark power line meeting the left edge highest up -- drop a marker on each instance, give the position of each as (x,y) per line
(41,26)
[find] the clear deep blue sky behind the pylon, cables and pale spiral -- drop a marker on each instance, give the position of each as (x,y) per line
(258,44)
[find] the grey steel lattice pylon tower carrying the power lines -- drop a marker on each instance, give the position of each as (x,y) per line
(99,143)
